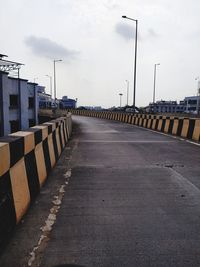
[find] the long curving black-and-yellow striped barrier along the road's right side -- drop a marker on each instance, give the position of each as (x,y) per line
(188,128)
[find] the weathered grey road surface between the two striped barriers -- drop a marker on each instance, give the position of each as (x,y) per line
(133,200)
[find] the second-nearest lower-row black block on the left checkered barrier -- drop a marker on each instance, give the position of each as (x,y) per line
(32,174)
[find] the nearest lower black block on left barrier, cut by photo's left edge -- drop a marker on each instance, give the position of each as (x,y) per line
(7,209)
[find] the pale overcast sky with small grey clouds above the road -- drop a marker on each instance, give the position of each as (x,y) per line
(97,46)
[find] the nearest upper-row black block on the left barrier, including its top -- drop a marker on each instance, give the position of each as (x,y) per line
(16,146)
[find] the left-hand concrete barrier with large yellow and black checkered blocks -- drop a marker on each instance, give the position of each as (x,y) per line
(26,158)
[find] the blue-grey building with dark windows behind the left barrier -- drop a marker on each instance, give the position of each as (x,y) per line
(18,99)
